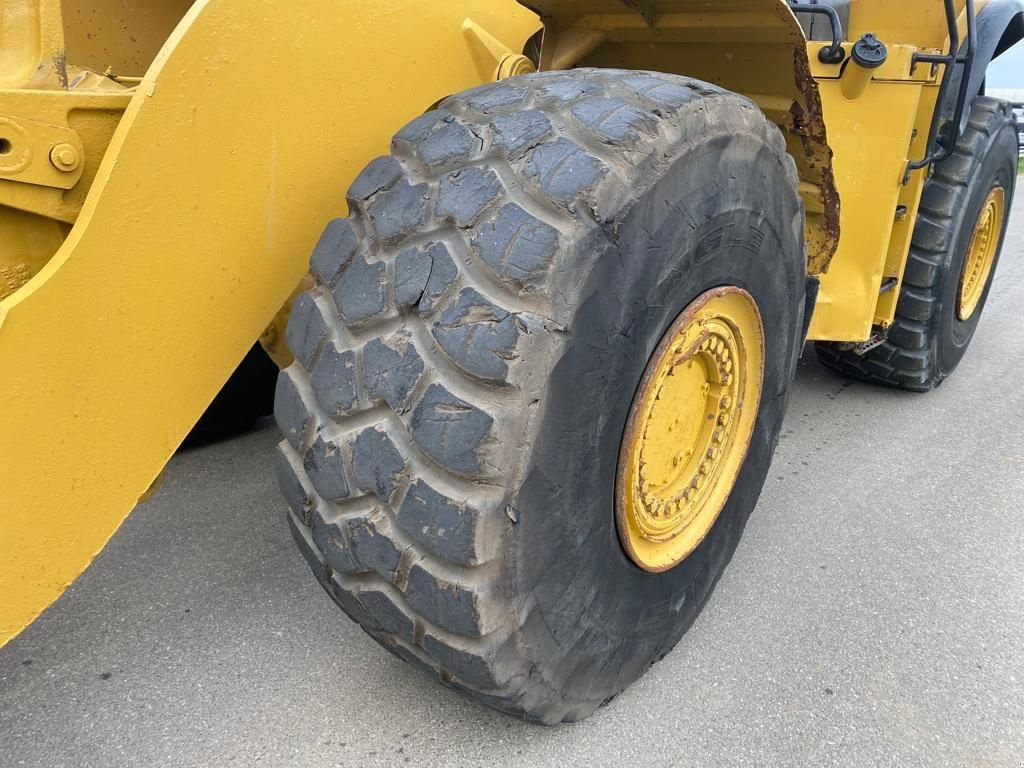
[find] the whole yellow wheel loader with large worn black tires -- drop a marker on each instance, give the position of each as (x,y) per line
(536,368)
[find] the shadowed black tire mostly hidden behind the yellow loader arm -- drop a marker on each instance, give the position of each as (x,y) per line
(245,399)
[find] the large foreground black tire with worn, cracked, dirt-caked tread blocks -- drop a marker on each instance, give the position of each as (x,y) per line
(467,361)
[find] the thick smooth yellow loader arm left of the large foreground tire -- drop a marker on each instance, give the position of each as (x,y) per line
(233,154)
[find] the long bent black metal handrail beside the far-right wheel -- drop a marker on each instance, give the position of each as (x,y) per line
(940,148)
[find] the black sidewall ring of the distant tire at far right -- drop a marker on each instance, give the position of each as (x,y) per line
(998,166)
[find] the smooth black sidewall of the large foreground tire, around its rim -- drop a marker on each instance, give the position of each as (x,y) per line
(592,621)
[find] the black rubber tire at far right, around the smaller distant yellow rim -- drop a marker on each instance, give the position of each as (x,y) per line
(927,339)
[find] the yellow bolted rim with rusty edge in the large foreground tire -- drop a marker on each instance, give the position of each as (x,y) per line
(690,429)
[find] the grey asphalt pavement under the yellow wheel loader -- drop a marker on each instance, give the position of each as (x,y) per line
(874,615)
